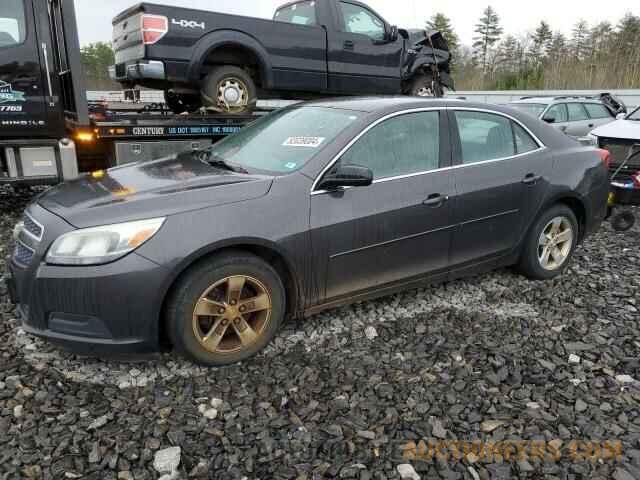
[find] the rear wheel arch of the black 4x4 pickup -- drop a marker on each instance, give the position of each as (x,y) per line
(231,42)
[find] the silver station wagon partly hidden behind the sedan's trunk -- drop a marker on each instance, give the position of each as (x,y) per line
(575,116)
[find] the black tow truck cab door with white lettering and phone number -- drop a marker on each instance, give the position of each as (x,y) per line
(22,96)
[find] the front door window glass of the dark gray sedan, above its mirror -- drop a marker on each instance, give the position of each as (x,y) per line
(402,145)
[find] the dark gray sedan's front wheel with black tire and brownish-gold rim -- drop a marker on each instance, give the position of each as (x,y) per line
(188,328)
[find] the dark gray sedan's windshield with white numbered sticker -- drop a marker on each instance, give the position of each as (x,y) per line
(283,141)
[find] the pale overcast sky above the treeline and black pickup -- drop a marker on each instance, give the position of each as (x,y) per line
(518,17)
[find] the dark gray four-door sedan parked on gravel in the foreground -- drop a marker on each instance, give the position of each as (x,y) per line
(311,207)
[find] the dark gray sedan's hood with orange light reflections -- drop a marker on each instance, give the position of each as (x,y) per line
(148,190)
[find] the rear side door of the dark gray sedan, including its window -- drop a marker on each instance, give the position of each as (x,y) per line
(501,177)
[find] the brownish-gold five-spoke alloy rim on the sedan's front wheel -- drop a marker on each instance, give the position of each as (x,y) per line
(232,314)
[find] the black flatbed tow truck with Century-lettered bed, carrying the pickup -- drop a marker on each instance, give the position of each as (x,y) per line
(49,133)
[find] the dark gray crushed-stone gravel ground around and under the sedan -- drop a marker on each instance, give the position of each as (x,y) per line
(491,358)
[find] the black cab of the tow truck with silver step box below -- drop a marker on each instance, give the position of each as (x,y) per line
(39,95)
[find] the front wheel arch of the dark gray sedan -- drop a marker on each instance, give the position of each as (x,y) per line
(265,250)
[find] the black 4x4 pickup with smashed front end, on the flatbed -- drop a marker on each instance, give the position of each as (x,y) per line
(310,48)
